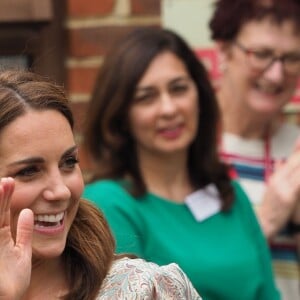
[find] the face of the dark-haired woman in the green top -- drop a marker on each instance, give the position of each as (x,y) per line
(154,96)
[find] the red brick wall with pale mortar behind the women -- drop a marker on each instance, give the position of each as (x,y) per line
(92,26)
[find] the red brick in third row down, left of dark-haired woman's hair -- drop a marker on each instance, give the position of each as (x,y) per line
(81,80)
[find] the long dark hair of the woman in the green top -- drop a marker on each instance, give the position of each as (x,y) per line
(107,137)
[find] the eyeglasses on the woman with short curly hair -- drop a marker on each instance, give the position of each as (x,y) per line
(261,60)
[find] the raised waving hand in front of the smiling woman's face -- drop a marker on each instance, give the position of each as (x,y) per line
(15,252)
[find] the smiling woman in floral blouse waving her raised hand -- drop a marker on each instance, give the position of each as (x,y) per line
(53,244)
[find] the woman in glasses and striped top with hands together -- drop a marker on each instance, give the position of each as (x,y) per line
(259,43)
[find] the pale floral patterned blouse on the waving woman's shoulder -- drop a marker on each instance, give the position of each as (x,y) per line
(136,279)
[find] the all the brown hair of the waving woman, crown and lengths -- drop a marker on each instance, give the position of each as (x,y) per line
(90,246)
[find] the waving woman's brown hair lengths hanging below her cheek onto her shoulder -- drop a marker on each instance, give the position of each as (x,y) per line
(89,252)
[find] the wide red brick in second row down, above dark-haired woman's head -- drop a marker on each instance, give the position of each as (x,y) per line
(95,41)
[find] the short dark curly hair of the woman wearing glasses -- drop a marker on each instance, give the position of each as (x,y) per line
(230,15)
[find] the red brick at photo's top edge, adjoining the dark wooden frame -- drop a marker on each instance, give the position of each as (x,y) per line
(88,8)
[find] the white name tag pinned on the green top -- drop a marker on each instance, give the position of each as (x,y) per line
(204,203)
